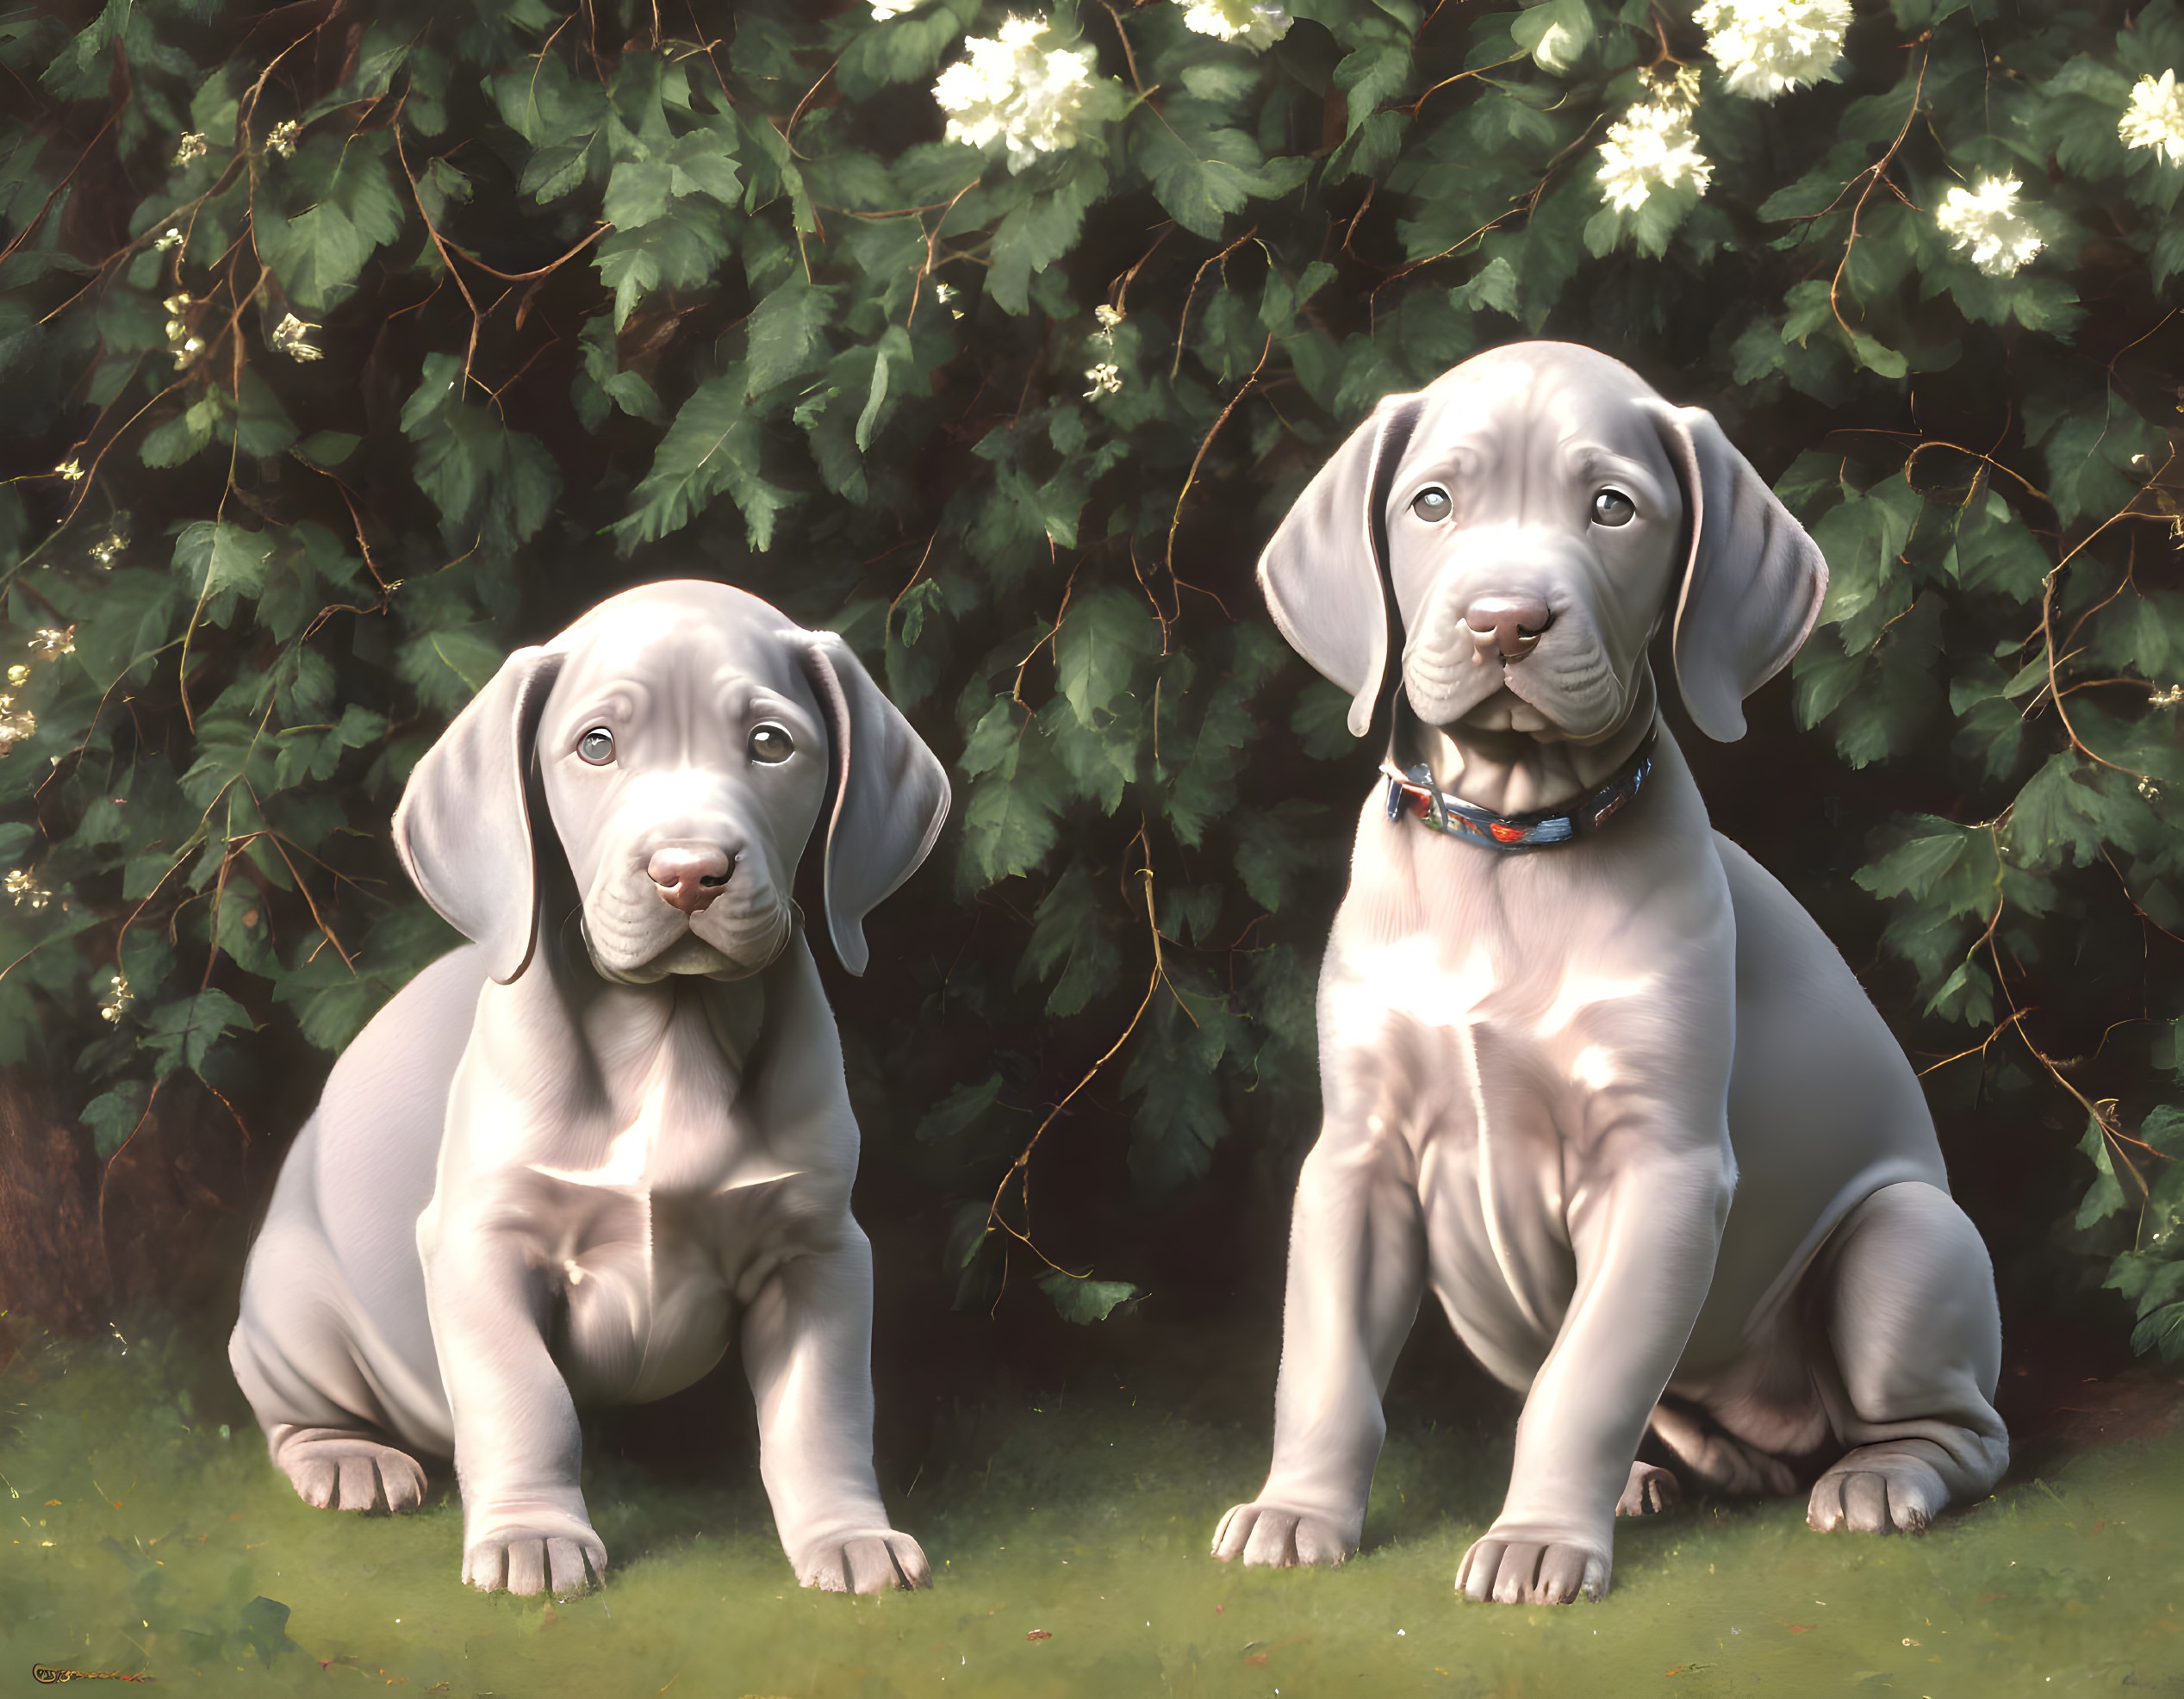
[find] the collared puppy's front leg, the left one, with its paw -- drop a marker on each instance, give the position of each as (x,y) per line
(1355,1276)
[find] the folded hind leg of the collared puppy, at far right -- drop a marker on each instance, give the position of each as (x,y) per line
(1919,1344)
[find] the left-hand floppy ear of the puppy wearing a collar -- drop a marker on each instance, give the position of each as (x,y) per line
(1325,569)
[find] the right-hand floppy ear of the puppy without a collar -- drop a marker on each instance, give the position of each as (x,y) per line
(888,794)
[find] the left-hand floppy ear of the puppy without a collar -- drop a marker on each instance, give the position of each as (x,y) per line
(464,822)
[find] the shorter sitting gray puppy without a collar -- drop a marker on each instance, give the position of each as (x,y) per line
(571,1161)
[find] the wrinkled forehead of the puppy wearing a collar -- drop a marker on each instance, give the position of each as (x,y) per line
(1499,416)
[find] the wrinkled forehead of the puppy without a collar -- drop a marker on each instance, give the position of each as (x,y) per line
(696,654)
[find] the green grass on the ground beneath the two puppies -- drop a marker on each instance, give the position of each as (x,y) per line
(143,1538)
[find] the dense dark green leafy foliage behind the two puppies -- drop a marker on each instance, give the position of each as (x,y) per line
(348,346)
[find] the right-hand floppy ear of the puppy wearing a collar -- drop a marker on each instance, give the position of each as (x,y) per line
(1753,584)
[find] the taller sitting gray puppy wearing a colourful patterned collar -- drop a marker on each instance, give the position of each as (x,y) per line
(1565,1025)
